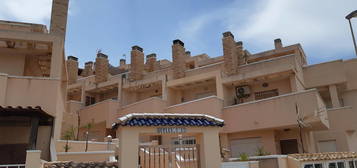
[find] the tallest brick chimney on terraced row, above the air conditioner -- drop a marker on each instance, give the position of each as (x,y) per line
(229,53)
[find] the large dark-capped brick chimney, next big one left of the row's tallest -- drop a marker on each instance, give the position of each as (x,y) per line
(178,58)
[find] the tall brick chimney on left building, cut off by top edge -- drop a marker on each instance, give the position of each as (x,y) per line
(59,17)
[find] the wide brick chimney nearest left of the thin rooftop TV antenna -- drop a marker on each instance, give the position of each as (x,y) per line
(101,68)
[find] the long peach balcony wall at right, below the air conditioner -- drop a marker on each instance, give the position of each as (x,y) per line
(278,112)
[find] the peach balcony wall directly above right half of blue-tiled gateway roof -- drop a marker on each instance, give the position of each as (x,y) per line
(211,105)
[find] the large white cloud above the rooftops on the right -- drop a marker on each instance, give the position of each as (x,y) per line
(317,24)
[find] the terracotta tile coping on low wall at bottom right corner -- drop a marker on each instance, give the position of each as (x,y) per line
(323,156)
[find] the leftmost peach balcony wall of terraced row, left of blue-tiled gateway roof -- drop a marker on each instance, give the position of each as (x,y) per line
(105,111)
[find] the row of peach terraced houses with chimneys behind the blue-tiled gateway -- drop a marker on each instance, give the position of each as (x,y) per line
(271,101)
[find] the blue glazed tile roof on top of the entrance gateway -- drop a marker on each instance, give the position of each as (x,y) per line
(168,119)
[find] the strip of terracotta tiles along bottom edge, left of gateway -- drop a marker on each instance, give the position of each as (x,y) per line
(81,165)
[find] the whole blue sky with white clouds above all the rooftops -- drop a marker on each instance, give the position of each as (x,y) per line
(115,25)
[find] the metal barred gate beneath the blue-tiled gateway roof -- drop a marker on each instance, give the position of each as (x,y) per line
(169,156)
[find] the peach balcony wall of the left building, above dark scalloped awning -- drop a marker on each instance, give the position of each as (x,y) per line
(30,91)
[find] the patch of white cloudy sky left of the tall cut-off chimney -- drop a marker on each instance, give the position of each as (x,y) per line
(34,11)
